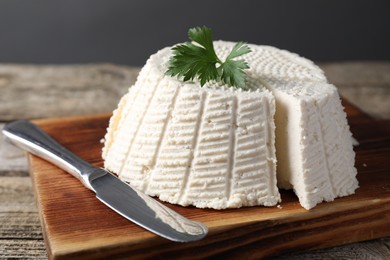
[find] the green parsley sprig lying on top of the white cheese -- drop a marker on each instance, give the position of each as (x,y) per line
(197,60)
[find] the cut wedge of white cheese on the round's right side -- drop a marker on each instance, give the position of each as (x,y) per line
(313,142)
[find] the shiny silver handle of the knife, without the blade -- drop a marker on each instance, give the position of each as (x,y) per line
(33,139)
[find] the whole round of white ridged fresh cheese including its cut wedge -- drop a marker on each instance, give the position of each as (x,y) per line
(217,147)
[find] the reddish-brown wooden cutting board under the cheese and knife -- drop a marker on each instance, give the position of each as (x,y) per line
(76,225)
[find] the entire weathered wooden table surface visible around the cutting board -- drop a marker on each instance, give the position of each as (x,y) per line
(30,92)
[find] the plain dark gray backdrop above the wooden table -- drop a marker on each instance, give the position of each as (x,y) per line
(127,32)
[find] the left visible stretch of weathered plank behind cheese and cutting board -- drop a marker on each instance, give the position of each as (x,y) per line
(29,91)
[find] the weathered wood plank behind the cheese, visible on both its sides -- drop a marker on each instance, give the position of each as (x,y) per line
(30,91)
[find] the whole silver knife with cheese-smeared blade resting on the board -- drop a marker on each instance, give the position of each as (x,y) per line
(117,195)
